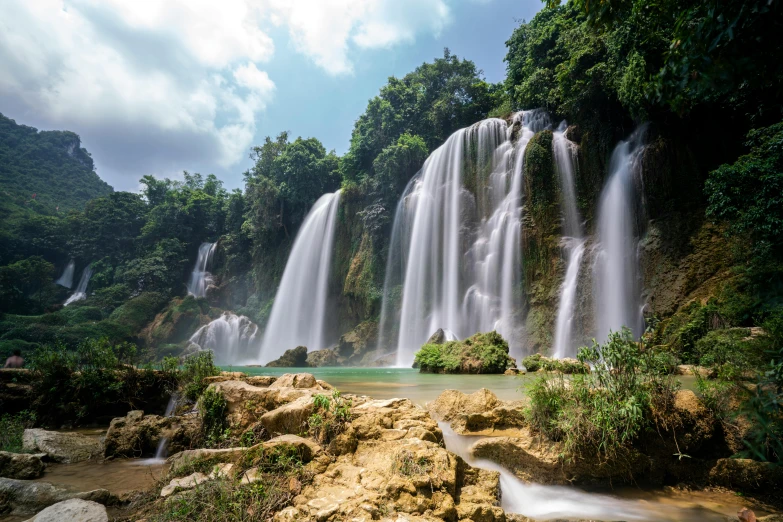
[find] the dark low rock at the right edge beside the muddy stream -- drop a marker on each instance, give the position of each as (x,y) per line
(747,475)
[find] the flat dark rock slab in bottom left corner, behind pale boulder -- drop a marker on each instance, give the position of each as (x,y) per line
(27,497)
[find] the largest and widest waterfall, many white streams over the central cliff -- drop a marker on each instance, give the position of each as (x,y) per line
(460,250)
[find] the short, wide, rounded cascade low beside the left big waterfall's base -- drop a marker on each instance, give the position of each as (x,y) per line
(232,338)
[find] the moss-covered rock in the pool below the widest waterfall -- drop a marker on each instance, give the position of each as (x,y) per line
(481,353)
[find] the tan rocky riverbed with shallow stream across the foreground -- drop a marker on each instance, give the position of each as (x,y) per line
(381,459)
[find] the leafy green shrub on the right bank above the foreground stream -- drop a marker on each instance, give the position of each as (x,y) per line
(600,414)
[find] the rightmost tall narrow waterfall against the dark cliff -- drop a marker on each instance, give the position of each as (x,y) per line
(618,287)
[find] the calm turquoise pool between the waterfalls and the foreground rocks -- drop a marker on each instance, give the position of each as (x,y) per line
(387,383)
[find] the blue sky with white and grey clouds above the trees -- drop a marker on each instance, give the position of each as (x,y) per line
(161,86)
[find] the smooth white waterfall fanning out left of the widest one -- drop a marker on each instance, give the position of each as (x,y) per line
(299,310)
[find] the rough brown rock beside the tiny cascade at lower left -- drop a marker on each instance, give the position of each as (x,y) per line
(138,435)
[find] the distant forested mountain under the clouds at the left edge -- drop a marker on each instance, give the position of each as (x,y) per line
(46,170)
